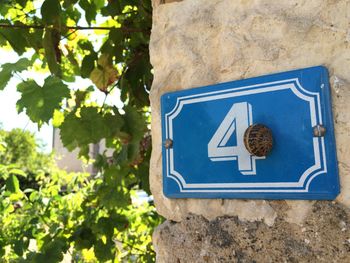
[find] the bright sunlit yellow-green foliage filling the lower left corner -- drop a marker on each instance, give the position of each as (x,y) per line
(63,215)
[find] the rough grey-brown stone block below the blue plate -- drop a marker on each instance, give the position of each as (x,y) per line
(324,237)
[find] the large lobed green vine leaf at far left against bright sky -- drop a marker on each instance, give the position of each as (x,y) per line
(41,102)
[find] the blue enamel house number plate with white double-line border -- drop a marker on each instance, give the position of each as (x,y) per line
(206,135)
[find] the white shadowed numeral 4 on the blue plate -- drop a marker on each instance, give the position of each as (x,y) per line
(238,119)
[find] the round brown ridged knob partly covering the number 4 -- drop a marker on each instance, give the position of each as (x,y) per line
(258,140)
